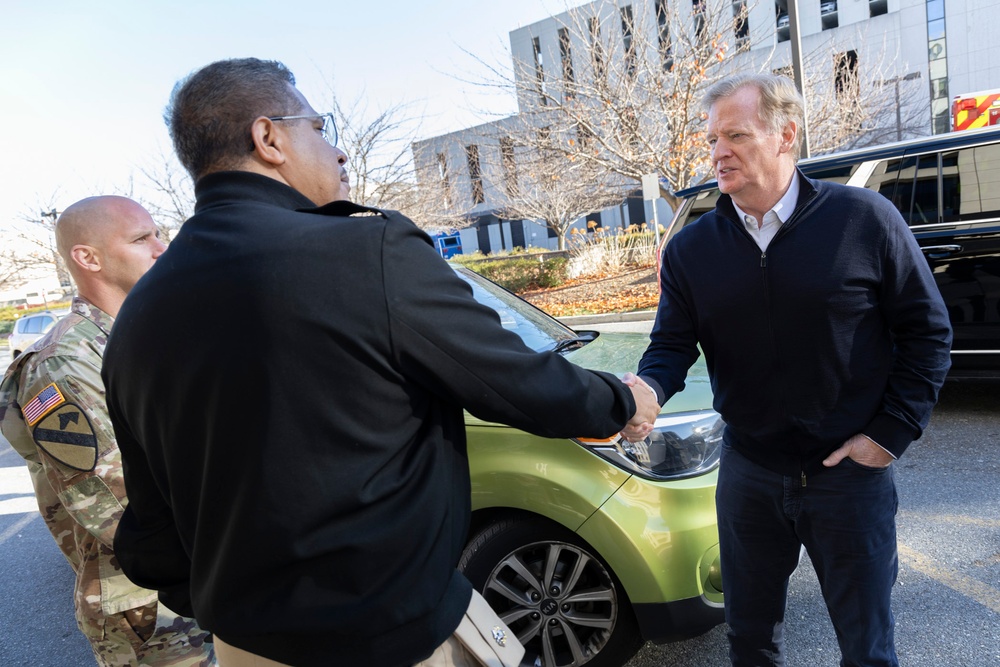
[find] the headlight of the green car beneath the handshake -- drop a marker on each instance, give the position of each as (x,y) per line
(683,444)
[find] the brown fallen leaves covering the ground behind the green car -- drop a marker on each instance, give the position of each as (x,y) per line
(630,290)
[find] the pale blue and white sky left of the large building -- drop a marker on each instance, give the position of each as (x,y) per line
(84,83)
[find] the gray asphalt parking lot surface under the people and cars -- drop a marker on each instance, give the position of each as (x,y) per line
(947,599)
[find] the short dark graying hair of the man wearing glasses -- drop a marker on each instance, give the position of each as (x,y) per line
(211,111)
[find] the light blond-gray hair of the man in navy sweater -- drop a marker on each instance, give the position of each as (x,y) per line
(780,101)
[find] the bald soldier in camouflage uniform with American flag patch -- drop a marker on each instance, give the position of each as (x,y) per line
(52,411)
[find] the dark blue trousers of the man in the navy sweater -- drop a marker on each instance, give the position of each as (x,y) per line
(845,517)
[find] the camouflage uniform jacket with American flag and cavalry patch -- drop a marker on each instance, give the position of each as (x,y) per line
(53,412)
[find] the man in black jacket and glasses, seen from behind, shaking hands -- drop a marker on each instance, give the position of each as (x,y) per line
(287,388)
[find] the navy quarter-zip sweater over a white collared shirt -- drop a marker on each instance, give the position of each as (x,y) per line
(837,329)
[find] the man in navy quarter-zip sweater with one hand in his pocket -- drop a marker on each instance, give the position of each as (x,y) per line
(827,342)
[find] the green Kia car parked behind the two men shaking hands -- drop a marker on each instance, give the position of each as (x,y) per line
(588,548)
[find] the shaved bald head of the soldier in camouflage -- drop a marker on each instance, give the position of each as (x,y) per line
(108,243)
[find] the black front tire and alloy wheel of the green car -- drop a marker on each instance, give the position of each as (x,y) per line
(561,600)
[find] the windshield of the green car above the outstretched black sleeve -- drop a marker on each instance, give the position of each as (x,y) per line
(538,330)
